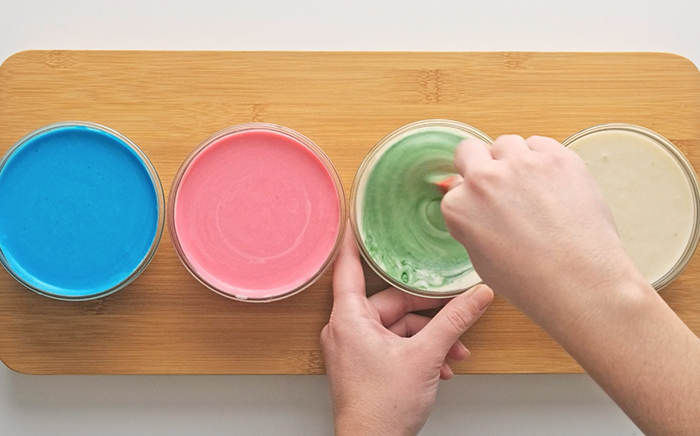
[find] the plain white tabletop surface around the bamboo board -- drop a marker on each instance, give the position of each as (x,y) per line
(299,405)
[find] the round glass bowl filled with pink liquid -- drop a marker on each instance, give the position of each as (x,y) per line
(256,214)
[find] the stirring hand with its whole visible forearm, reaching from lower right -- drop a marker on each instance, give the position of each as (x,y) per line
(539,233)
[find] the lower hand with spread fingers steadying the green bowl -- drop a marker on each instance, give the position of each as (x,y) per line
(383,361)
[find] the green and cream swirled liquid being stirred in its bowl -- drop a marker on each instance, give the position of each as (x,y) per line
(401,224)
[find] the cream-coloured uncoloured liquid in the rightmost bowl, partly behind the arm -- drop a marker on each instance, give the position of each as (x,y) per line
(648,193)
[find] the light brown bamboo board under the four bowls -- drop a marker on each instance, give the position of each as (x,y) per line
(167,102)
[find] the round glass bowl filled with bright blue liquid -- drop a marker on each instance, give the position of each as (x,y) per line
(78,211)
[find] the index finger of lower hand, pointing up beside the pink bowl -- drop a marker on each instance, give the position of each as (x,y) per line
(348,277)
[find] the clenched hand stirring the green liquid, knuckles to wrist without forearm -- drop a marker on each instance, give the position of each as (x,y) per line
(533,221)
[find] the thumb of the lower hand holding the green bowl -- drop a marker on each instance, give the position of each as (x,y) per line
(455,318)
